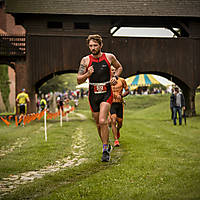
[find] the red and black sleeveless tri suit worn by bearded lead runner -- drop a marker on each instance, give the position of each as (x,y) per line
(99,82)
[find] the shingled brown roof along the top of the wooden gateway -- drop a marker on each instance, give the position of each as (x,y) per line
(186,8)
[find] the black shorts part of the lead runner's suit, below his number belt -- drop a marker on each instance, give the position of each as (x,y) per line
(96,99)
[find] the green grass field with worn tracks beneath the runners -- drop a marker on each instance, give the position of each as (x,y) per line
(155,160)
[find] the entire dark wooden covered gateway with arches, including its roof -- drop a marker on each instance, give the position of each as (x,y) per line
(56,33)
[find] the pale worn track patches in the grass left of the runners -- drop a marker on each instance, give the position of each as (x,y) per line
(13,181)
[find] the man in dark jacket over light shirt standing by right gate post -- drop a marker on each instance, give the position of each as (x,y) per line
(178,105)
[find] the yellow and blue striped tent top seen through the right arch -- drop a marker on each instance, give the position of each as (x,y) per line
(141,80)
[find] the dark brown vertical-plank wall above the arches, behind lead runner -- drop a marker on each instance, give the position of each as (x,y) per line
(171,57)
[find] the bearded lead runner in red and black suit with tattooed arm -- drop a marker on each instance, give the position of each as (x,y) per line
(97,68)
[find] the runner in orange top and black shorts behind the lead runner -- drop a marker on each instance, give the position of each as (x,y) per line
(117,107)
